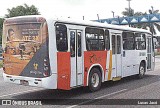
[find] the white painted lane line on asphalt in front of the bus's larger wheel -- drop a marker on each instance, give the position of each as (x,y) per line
(97,98)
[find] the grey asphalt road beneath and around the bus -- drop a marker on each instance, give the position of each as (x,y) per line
(127,88)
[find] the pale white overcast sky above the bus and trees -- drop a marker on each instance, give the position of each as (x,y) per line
(78,8)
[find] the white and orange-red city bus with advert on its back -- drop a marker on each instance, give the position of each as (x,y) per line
(56,53)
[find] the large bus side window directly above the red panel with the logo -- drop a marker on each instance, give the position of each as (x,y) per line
(95,39)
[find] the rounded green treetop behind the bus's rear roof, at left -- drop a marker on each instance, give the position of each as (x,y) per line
(22,10)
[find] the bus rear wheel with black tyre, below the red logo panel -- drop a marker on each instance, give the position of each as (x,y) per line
(95,80)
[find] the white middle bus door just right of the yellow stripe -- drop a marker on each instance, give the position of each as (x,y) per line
(116,57)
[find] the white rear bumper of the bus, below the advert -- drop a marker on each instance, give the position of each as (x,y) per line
(47,82)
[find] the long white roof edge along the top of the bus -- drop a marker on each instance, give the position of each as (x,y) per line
(83,23)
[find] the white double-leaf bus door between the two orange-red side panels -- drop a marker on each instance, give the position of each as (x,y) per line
(76,57)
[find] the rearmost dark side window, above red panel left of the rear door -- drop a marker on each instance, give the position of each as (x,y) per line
(61,37)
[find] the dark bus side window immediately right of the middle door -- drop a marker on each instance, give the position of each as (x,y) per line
(128,41)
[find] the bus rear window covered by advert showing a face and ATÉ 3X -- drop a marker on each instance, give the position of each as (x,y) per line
(24,32)
